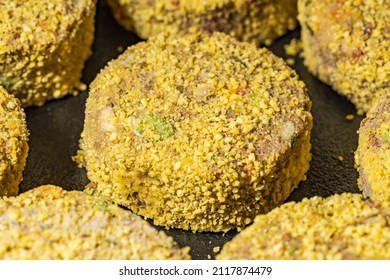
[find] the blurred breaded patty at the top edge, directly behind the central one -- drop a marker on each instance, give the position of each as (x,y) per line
(258,21)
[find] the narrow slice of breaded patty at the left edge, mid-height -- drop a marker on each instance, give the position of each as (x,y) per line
(13,143)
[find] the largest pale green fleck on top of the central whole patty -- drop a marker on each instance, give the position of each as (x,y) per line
(152,127)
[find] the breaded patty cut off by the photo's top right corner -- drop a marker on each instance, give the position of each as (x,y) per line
(347,45)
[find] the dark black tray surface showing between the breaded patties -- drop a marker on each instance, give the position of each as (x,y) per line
(55,130)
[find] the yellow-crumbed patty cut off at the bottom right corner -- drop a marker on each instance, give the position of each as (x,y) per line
(338,227)
